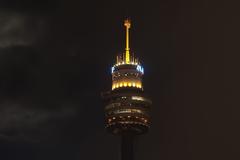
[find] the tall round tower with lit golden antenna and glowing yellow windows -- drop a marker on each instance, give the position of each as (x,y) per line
(126,106)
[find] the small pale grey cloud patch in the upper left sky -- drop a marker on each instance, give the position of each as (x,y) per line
(18,29)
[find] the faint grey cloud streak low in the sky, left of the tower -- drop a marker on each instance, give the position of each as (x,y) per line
(31,124)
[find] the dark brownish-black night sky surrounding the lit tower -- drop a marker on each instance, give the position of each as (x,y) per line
(55,59)
